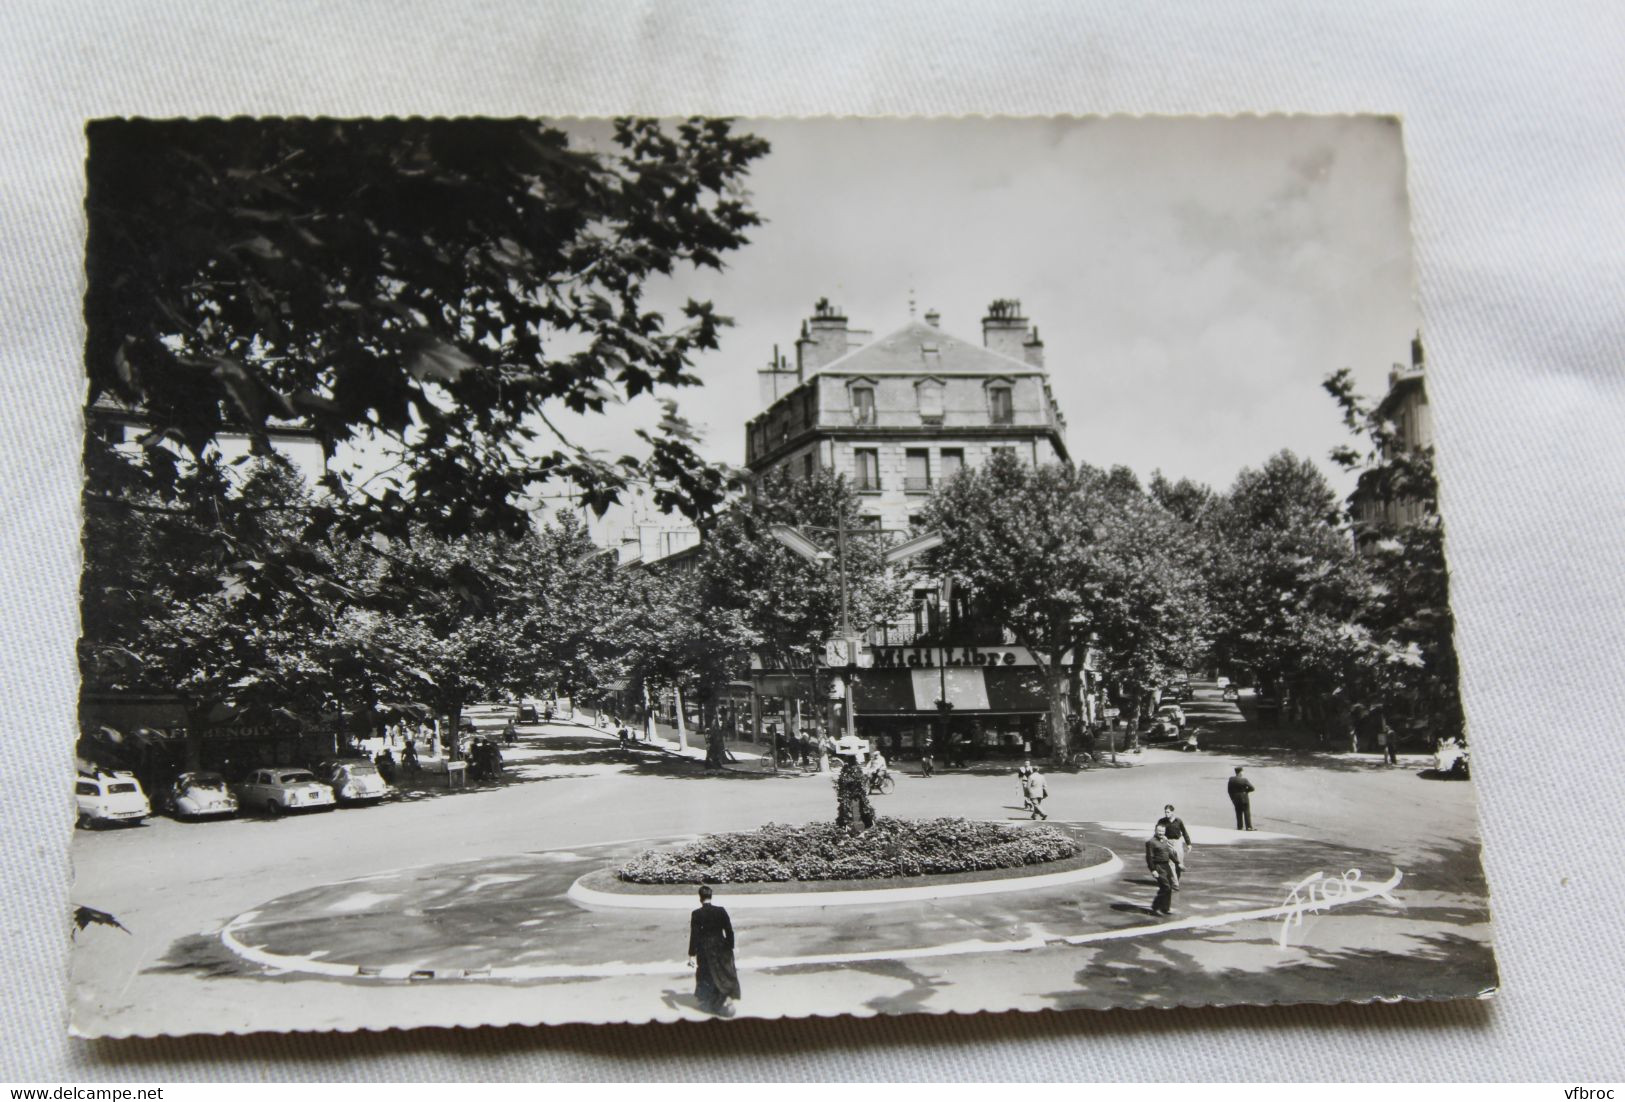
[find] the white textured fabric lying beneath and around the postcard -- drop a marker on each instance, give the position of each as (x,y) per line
(1514,124)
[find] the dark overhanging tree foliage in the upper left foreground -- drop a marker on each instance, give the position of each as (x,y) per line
(430,287)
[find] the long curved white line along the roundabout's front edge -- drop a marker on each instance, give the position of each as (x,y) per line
(282,963)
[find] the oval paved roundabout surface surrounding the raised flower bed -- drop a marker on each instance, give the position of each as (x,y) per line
(527,918)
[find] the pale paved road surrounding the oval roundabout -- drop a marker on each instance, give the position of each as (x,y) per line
(178,885)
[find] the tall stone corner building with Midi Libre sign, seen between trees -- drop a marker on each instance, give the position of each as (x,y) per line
(898,417)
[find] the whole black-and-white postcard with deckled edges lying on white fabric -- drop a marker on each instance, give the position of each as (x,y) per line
(626,571)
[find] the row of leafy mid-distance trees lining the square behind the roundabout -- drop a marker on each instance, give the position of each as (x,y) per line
(1263,579)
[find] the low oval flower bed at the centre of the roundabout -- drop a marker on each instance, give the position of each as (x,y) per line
(821,851)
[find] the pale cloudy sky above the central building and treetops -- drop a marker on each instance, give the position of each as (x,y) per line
(1194,280)
